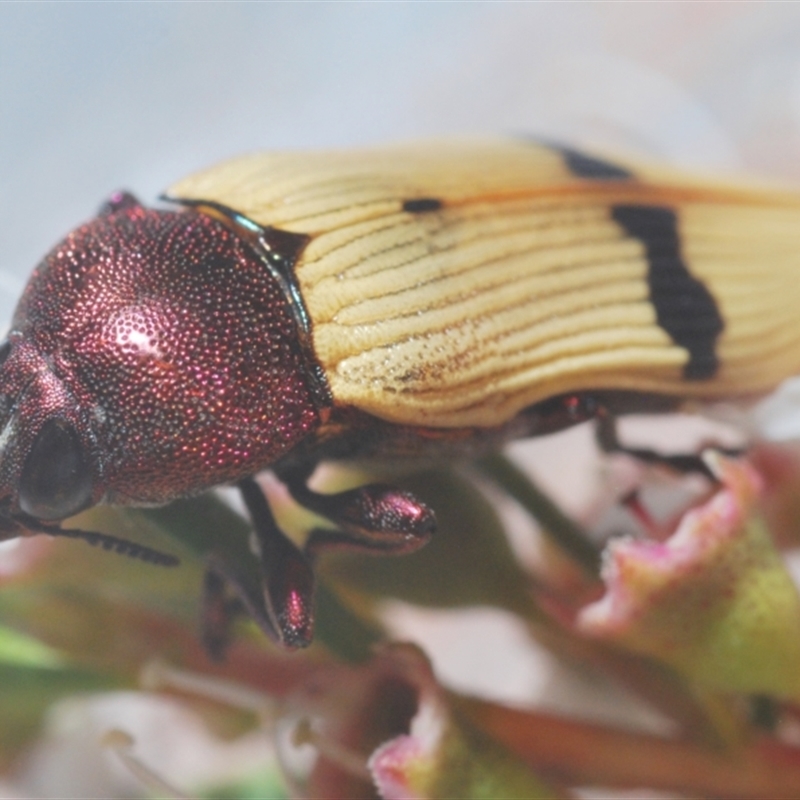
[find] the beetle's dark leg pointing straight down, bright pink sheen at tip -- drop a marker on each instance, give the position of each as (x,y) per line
(288,577)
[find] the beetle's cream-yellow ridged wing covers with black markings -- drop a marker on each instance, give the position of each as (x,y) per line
(450,286)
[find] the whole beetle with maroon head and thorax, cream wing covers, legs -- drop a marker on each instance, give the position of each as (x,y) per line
(435,298)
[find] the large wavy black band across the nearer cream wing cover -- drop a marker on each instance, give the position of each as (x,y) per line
(685,308)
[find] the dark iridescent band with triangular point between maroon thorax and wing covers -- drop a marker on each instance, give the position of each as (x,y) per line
(279,251)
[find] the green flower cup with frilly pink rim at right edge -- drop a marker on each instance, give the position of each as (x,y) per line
(714,601)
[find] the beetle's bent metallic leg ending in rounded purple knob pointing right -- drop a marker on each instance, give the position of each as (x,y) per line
(375,518)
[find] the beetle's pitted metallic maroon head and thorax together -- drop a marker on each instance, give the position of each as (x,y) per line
(152,355)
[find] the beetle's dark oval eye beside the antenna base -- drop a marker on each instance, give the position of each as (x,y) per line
(56,480)
